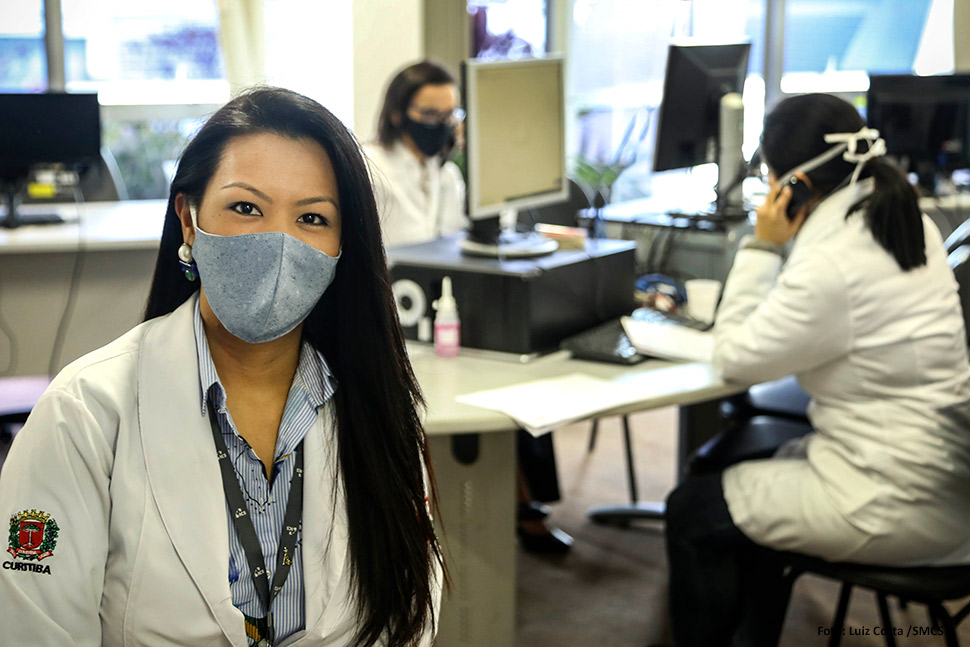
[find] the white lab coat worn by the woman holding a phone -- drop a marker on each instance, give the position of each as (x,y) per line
(882,353)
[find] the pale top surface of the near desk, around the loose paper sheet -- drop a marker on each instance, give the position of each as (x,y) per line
(444,379)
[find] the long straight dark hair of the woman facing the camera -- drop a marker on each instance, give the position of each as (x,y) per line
(382,448)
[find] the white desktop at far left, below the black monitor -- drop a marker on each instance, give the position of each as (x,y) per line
(102,226)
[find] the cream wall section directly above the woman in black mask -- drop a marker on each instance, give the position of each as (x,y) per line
(388,34)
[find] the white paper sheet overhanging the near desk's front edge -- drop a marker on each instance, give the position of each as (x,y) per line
(543,405)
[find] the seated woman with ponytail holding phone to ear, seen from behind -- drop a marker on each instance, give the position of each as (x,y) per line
(865,313)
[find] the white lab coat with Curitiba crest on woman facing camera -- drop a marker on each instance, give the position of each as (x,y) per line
(118,453)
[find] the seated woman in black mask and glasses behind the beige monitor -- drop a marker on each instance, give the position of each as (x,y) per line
(421,196)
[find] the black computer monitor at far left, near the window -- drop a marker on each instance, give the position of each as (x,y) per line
(49,128)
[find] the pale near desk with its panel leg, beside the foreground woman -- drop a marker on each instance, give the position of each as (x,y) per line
(474,457)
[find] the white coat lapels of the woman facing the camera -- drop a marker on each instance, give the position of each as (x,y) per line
(183,473)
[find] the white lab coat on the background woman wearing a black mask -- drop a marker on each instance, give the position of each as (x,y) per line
(417,201)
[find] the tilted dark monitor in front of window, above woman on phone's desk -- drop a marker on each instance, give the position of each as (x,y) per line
(688,130)
